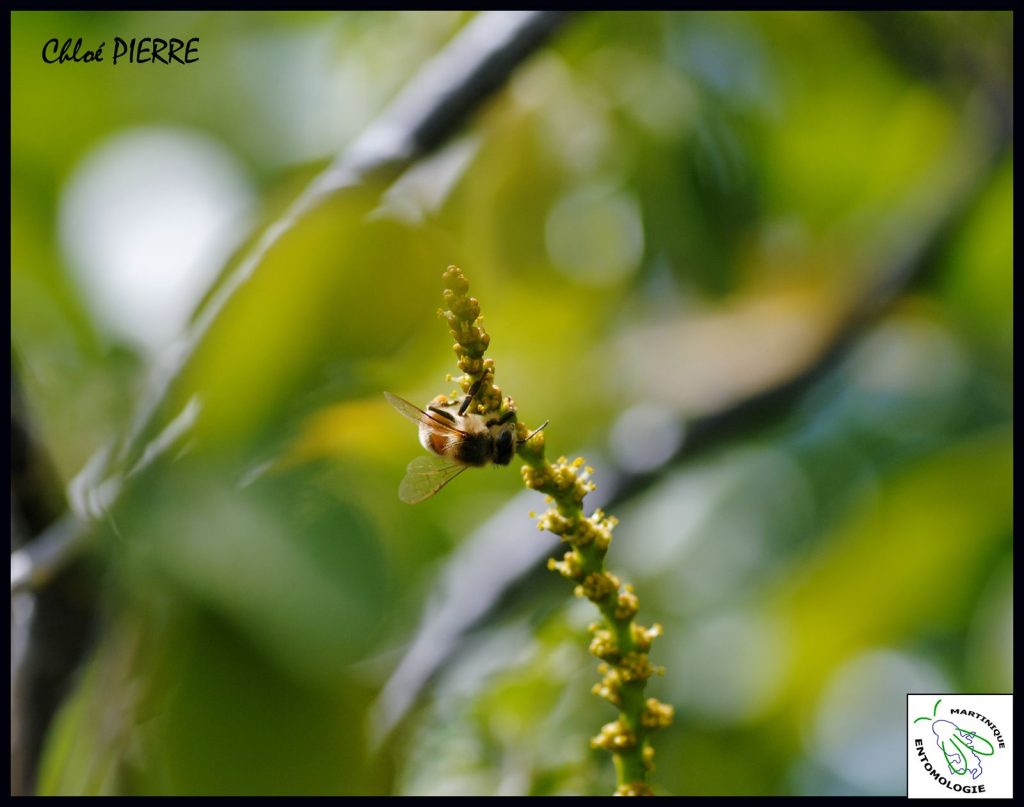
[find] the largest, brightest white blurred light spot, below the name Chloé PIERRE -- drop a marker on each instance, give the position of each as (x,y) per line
(147,220)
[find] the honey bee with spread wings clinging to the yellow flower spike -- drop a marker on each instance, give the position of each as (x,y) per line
(457,442)
